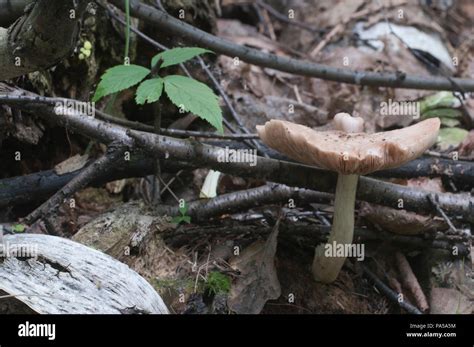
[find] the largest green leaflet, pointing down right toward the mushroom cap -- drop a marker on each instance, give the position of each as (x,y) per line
(195,97)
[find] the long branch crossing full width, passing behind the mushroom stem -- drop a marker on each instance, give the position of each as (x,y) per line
(291,174)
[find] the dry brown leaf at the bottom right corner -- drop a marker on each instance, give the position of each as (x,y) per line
(450,301)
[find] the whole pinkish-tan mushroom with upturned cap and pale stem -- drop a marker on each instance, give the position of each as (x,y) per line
(349,152)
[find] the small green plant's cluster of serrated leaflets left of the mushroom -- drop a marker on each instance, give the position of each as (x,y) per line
(186,93)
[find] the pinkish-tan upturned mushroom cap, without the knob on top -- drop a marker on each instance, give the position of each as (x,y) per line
(350,153)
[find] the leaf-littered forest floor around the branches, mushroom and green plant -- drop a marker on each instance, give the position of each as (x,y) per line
(257,259)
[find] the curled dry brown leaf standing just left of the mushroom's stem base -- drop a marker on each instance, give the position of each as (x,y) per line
(258,281)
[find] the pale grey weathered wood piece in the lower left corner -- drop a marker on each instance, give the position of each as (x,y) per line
(53,275)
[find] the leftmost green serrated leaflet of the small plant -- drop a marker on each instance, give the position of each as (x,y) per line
(118,78)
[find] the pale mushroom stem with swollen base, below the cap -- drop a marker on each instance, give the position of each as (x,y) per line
(327,264)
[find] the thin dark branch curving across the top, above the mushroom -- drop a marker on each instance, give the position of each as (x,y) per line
(295,66)
